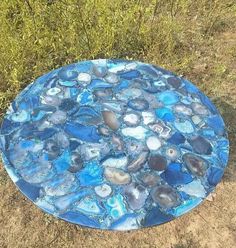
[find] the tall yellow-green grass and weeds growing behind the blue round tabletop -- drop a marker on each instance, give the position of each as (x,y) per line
(38,36)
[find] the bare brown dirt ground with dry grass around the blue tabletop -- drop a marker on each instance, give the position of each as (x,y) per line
(212,224)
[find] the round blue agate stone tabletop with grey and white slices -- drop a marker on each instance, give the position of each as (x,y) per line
(114,144)
